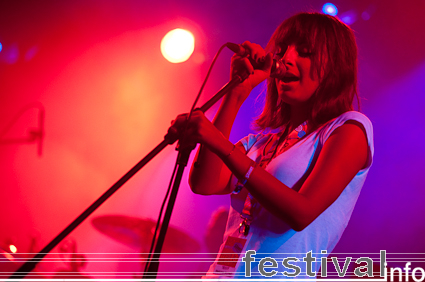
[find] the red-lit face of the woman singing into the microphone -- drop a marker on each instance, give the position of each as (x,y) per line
(297,85)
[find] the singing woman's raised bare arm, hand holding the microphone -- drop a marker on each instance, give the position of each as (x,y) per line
(209,175)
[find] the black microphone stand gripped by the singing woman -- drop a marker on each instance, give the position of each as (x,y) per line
(169,139)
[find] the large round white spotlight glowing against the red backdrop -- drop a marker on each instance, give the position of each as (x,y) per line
(178,45)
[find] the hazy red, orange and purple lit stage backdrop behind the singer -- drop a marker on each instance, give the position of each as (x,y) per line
(94,68)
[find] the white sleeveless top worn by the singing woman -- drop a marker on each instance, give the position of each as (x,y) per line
(271,237)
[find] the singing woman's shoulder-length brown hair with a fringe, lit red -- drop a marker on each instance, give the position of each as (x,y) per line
(334,61)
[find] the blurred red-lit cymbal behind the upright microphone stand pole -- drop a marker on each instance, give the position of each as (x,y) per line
(138,233)
